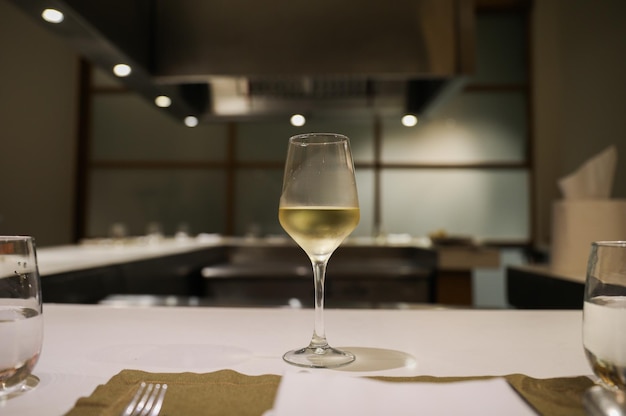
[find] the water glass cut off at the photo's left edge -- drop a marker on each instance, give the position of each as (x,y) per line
(21,322)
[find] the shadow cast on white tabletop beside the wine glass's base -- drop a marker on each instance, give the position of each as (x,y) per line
(378,359)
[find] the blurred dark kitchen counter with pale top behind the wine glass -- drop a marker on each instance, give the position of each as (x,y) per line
(364,270)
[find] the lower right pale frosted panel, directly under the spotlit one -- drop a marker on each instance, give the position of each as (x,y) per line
(482,203)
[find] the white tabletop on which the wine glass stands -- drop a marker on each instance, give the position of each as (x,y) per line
(86,346)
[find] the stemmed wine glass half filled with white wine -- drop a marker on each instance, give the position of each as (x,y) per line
(319,208)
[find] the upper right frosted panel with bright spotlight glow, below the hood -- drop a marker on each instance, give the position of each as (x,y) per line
(474,127)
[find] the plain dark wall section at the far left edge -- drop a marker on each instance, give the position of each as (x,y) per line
(38,91)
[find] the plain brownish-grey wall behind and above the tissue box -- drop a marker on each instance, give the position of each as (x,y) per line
(580,87)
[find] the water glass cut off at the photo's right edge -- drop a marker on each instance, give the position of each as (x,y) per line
(604,316)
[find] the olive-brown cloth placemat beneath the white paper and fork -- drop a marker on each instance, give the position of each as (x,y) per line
(227,392)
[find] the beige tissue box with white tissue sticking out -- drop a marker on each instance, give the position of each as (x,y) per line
(587,213)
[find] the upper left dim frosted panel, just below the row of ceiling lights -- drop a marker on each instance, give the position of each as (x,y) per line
(121,133)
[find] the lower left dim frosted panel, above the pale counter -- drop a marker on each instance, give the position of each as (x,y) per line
(173,199)
